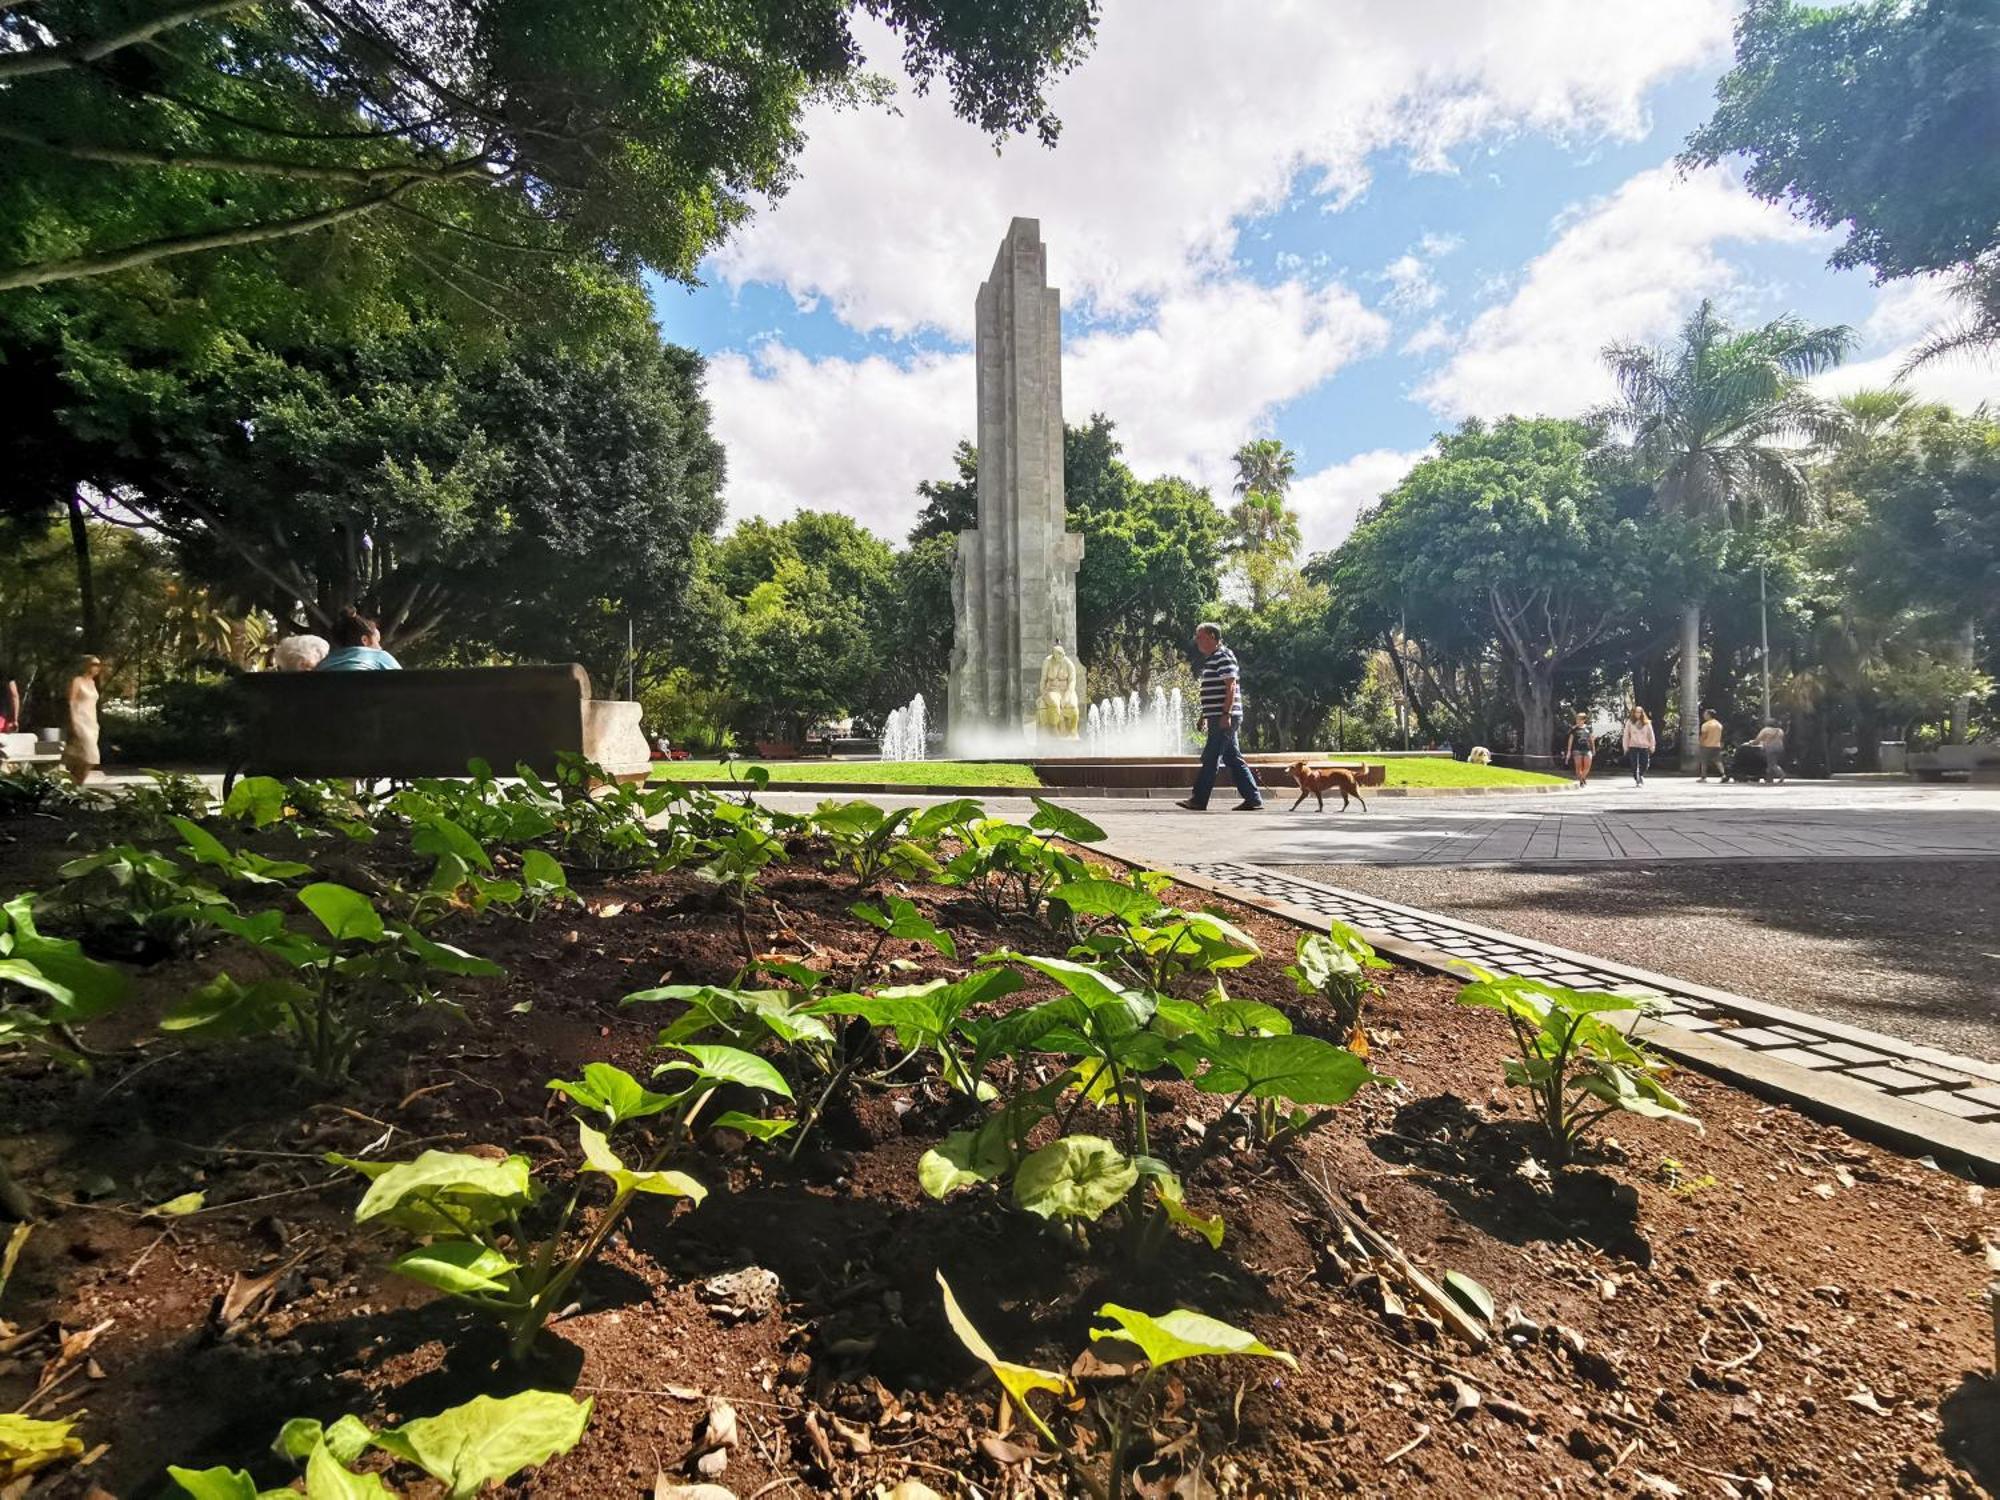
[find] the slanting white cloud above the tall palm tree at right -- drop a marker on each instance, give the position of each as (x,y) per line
(1627,267)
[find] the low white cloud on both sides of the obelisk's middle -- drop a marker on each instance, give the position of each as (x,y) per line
(1187,389)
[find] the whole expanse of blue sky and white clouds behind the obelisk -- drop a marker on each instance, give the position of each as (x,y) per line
(1343,225)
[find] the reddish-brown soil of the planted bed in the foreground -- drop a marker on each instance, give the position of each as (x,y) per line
(1759,1307)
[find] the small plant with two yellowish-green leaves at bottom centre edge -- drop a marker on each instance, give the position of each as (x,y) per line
(1161,1341)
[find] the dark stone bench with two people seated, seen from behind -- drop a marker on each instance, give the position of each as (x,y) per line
(431,723)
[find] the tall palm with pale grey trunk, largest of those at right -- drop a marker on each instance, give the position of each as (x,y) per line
(1727,429)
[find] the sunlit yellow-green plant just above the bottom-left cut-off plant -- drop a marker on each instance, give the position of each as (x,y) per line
(483,1239)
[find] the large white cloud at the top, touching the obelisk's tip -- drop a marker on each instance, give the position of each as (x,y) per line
(1187,121)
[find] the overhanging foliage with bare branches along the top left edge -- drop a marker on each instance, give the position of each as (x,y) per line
(633,133)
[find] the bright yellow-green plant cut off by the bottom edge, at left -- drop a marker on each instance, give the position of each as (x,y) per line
(467,1449)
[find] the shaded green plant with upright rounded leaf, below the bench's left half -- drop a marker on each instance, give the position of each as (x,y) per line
(341,987)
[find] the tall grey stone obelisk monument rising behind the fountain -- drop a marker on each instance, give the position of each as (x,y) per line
(1015,577)
